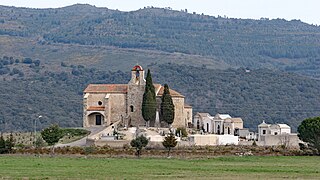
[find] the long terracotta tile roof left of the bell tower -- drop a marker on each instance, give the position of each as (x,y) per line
(106,88)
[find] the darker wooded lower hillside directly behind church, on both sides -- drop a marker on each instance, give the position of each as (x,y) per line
(32,88)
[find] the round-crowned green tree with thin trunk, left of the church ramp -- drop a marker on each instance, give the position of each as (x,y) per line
(52,135)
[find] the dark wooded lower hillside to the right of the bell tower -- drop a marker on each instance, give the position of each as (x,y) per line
(253,95)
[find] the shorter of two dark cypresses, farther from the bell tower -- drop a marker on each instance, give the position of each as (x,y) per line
(167,106)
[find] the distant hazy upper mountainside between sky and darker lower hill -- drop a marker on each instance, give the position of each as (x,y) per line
(162,35)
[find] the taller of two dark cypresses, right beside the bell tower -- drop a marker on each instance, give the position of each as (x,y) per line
(149,103)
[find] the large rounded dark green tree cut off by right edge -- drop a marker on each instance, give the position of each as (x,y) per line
(309,132)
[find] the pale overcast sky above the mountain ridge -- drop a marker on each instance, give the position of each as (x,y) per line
(305,10)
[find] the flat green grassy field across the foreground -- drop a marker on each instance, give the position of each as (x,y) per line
(253,167)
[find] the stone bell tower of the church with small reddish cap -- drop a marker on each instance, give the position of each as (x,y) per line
(135,95)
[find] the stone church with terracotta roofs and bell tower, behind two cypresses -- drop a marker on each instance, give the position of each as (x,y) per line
(104,104)
